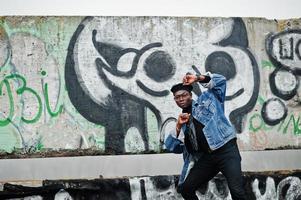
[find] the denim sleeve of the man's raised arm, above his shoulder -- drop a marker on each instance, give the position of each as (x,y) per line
(217,85)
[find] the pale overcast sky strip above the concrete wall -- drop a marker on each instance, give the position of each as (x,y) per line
(218,8)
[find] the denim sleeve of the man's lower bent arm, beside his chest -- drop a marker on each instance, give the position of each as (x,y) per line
(174,144)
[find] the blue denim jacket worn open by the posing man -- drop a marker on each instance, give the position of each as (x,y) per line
(209,110)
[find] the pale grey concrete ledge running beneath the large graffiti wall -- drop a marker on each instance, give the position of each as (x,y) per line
(90,167)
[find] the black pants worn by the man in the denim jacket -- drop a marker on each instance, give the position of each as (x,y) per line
(226,160)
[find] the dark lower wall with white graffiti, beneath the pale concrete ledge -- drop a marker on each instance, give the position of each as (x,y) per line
(258,186)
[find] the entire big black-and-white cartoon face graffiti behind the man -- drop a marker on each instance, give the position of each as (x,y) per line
(125,75)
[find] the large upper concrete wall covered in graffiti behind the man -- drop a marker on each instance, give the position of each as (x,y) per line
(104,82)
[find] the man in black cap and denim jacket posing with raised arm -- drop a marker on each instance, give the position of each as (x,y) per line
(205,137)
